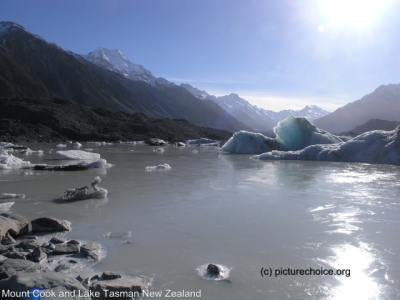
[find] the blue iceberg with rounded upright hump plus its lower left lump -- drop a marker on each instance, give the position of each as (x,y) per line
(291,134)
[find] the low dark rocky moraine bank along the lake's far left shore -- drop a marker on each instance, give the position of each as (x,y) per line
(45,120)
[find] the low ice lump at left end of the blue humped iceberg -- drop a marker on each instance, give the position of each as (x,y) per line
(248,142)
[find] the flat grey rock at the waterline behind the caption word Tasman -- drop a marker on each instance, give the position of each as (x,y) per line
(129,284)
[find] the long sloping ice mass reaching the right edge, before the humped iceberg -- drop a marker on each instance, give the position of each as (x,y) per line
(378,147)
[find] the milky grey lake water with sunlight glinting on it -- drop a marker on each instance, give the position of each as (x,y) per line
(233,211)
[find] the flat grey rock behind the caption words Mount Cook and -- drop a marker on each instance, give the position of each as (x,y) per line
(57,282)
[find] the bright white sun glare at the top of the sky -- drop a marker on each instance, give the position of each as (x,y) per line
(356,13)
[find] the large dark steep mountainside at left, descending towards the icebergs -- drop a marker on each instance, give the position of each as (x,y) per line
(38,69)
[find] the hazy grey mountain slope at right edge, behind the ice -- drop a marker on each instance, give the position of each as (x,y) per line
(383,103)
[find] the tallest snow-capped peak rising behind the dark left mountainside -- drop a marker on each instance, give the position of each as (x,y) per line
(116,61)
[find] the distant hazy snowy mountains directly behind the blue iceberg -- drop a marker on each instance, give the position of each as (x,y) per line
(258,119)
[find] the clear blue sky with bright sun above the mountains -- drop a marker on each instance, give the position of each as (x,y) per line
(277,54)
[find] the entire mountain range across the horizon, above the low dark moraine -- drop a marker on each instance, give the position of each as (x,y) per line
(33,68)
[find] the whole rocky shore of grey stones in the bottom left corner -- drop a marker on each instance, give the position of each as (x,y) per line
(35,262)
